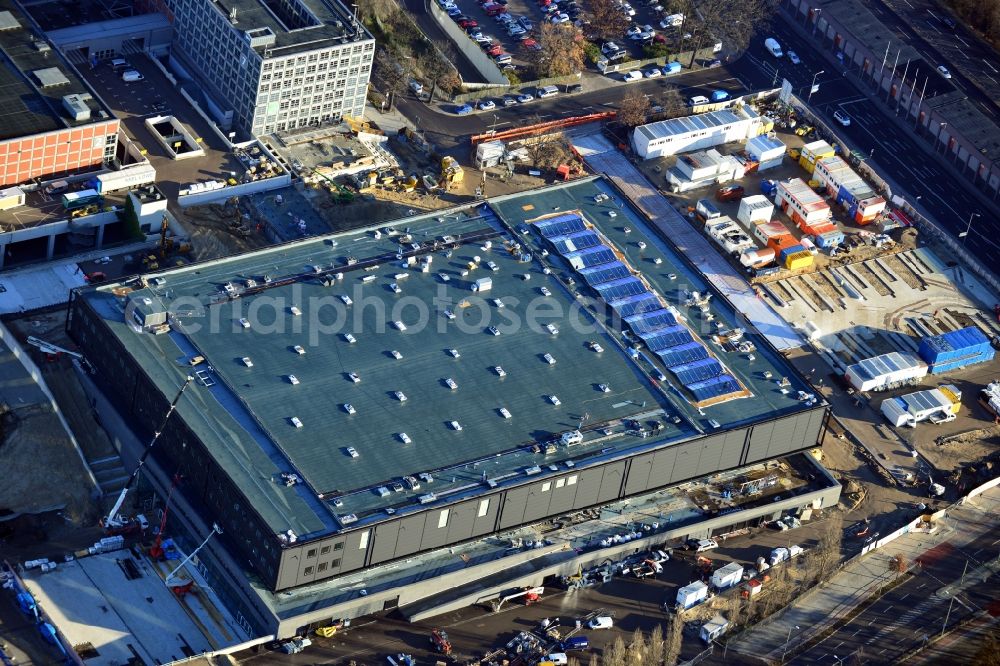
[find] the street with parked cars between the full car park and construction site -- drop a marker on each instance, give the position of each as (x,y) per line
(447,130)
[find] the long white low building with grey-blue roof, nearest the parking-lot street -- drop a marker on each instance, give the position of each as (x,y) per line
(704,130)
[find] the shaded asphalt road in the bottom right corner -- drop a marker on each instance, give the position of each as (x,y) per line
(913,611)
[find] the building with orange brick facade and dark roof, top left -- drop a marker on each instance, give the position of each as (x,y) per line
(50,121)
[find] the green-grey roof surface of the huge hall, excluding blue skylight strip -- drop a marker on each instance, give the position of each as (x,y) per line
(244,411)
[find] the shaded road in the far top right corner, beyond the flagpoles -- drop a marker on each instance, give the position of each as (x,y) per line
(974,66)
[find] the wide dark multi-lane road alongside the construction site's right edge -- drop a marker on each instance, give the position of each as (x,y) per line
(893,149)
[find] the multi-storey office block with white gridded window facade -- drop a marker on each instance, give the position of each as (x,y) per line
(275,65)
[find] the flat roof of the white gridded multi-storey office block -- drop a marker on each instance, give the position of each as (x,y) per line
(297,25)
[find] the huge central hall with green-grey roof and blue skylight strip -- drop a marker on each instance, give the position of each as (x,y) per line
(387,394)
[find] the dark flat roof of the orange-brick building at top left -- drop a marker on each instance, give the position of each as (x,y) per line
(34,79)
